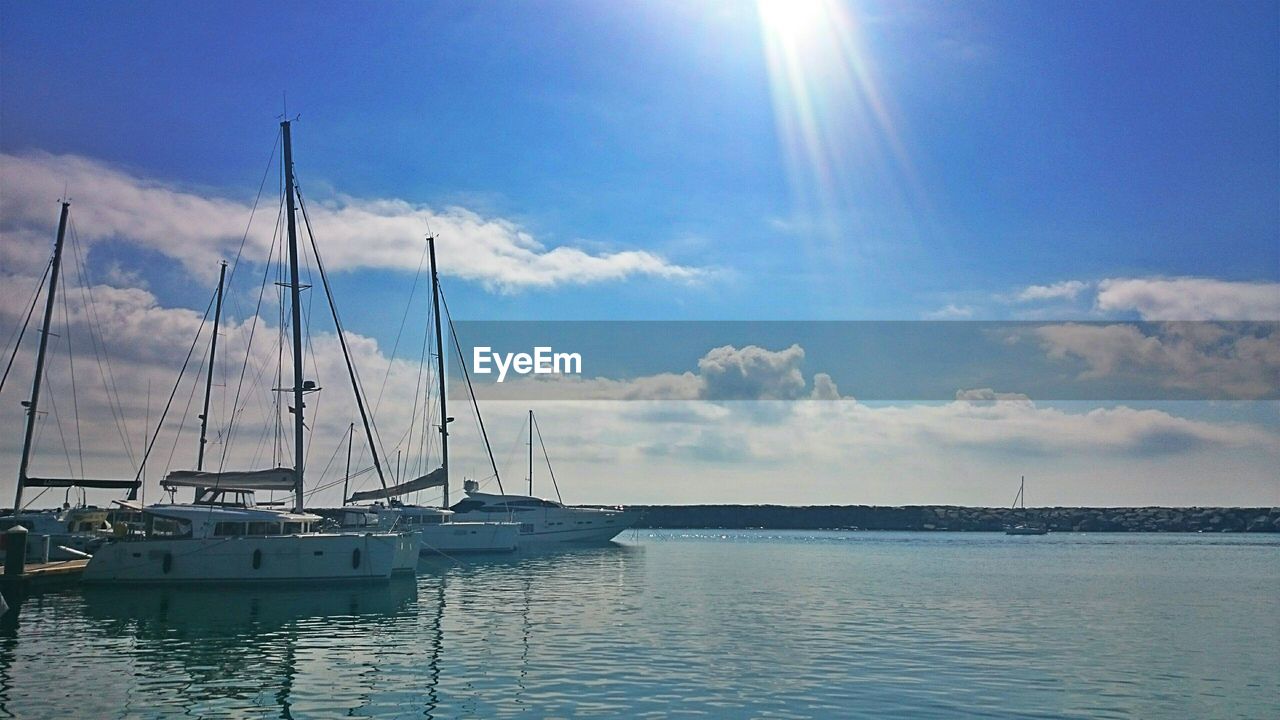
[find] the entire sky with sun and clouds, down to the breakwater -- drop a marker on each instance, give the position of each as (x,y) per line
(1110,166)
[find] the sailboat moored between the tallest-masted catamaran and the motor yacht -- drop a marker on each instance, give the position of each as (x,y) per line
(436,527)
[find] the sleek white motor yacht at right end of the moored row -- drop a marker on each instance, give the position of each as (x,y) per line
(546,522)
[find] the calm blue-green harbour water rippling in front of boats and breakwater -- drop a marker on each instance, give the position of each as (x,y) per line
(696,623)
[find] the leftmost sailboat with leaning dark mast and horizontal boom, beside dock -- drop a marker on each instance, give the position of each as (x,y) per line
(71,532)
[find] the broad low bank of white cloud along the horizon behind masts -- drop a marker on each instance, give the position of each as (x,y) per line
(749,452)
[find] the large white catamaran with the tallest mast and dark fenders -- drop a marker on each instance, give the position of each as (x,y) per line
(222,537)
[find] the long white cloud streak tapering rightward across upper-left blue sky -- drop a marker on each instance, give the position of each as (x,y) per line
(200,229)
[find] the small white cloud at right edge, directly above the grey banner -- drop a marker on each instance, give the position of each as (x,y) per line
(1191,299)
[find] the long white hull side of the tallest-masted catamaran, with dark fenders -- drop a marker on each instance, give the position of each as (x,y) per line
(276,559)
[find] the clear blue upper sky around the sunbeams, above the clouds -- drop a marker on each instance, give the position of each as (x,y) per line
(1050,142)
